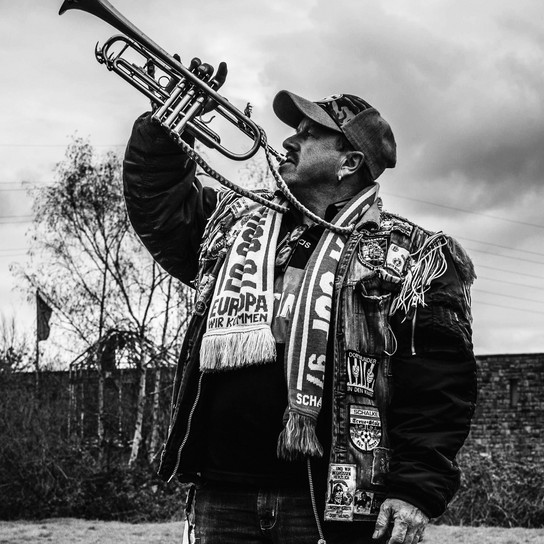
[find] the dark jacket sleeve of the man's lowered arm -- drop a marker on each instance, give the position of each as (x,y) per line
(434,390)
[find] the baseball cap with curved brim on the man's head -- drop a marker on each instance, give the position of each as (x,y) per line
(363,126)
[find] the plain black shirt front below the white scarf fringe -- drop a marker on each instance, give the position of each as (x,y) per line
(244,410)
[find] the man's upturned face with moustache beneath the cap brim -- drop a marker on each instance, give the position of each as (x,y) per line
(312,157)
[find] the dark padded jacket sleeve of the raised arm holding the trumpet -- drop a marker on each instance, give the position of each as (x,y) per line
(166,204)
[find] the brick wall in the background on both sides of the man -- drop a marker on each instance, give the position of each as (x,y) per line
(509,417)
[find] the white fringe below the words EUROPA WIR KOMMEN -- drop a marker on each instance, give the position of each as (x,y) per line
(236,348)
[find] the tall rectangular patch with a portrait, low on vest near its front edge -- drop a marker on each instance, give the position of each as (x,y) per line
(340,492)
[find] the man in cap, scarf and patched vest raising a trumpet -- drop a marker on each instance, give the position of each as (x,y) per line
(327,377)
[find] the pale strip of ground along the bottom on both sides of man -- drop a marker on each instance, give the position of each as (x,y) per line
(75,531)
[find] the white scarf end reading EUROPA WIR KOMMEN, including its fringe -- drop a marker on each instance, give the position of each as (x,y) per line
(238,330)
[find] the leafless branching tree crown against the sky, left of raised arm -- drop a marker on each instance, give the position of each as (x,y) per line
(87,261)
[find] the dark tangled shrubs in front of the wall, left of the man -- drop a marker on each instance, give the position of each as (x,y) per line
(44,472)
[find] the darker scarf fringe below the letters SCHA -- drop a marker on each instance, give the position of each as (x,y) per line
(298,438)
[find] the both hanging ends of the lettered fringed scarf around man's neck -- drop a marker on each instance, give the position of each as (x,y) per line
(238,328)
